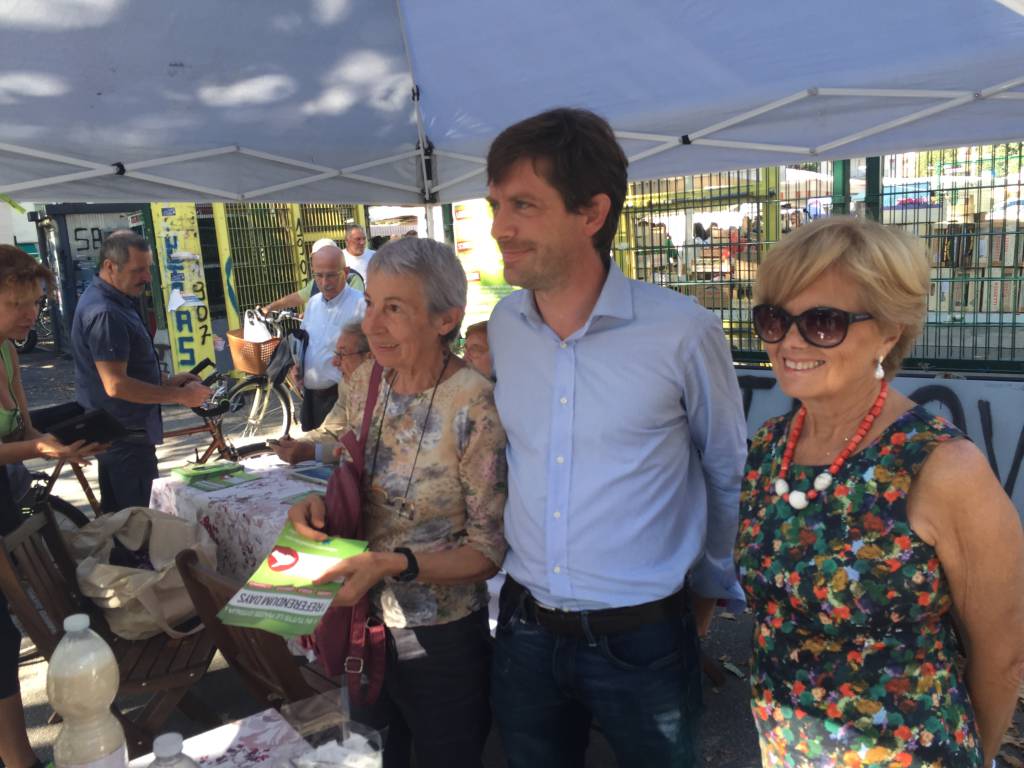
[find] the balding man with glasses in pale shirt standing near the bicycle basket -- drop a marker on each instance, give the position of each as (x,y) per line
(326,314)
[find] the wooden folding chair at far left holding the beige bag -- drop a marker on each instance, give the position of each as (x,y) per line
(37,575)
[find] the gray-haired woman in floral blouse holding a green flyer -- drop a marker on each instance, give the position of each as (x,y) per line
(435,491)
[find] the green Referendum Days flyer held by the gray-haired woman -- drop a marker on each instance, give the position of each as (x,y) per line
(281,596)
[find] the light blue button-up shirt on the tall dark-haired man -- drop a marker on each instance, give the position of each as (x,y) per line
(627,444)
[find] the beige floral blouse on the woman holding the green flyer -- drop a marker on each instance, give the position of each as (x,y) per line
(457,495)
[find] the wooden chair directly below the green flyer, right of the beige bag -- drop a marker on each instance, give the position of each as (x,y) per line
(264,661)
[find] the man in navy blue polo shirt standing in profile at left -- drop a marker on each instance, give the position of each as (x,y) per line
(117,369)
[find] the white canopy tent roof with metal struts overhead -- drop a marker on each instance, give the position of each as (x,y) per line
(239,100)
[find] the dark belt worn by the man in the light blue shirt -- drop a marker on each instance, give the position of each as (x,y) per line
(603,622)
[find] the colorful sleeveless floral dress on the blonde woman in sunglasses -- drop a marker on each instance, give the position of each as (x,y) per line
(854,649)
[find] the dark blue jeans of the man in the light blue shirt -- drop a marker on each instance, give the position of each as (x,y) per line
(643,688)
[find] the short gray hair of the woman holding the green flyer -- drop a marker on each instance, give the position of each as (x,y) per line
(437,268)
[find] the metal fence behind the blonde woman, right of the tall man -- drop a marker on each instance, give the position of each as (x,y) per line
(705,236)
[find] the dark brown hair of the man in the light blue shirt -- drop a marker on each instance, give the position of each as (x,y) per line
(576,152)
